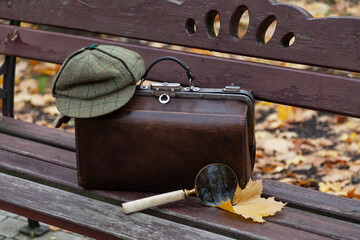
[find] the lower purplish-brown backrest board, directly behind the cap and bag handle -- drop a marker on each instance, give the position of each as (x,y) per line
(301,88)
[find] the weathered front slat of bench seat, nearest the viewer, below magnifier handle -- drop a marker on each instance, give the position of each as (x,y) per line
(88,216)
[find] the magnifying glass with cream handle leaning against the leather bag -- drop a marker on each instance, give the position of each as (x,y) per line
(214,183)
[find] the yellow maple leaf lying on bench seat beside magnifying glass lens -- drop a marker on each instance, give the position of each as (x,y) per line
(249,203)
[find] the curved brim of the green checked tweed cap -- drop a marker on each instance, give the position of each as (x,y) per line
(80,108)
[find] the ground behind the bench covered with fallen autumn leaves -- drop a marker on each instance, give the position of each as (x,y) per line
(296,146)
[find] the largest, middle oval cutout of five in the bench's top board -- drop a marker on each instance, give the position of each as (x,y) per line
(239,22)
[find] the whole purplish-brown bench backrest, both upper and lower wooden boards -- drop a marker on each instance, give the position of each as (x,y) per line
(326,42)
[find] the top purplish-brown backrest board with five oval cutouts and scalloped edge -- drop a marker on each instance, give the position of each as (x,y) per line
(332,42)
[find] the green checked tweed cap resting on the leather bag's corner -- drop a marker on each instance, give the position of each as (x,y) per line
(97,80)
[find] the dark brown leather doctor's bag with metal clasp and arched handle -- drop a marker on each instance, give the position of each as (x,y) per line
(164,135)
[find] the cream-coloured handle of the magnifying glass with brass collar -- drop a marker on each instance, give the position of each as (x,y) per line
(157,200)
